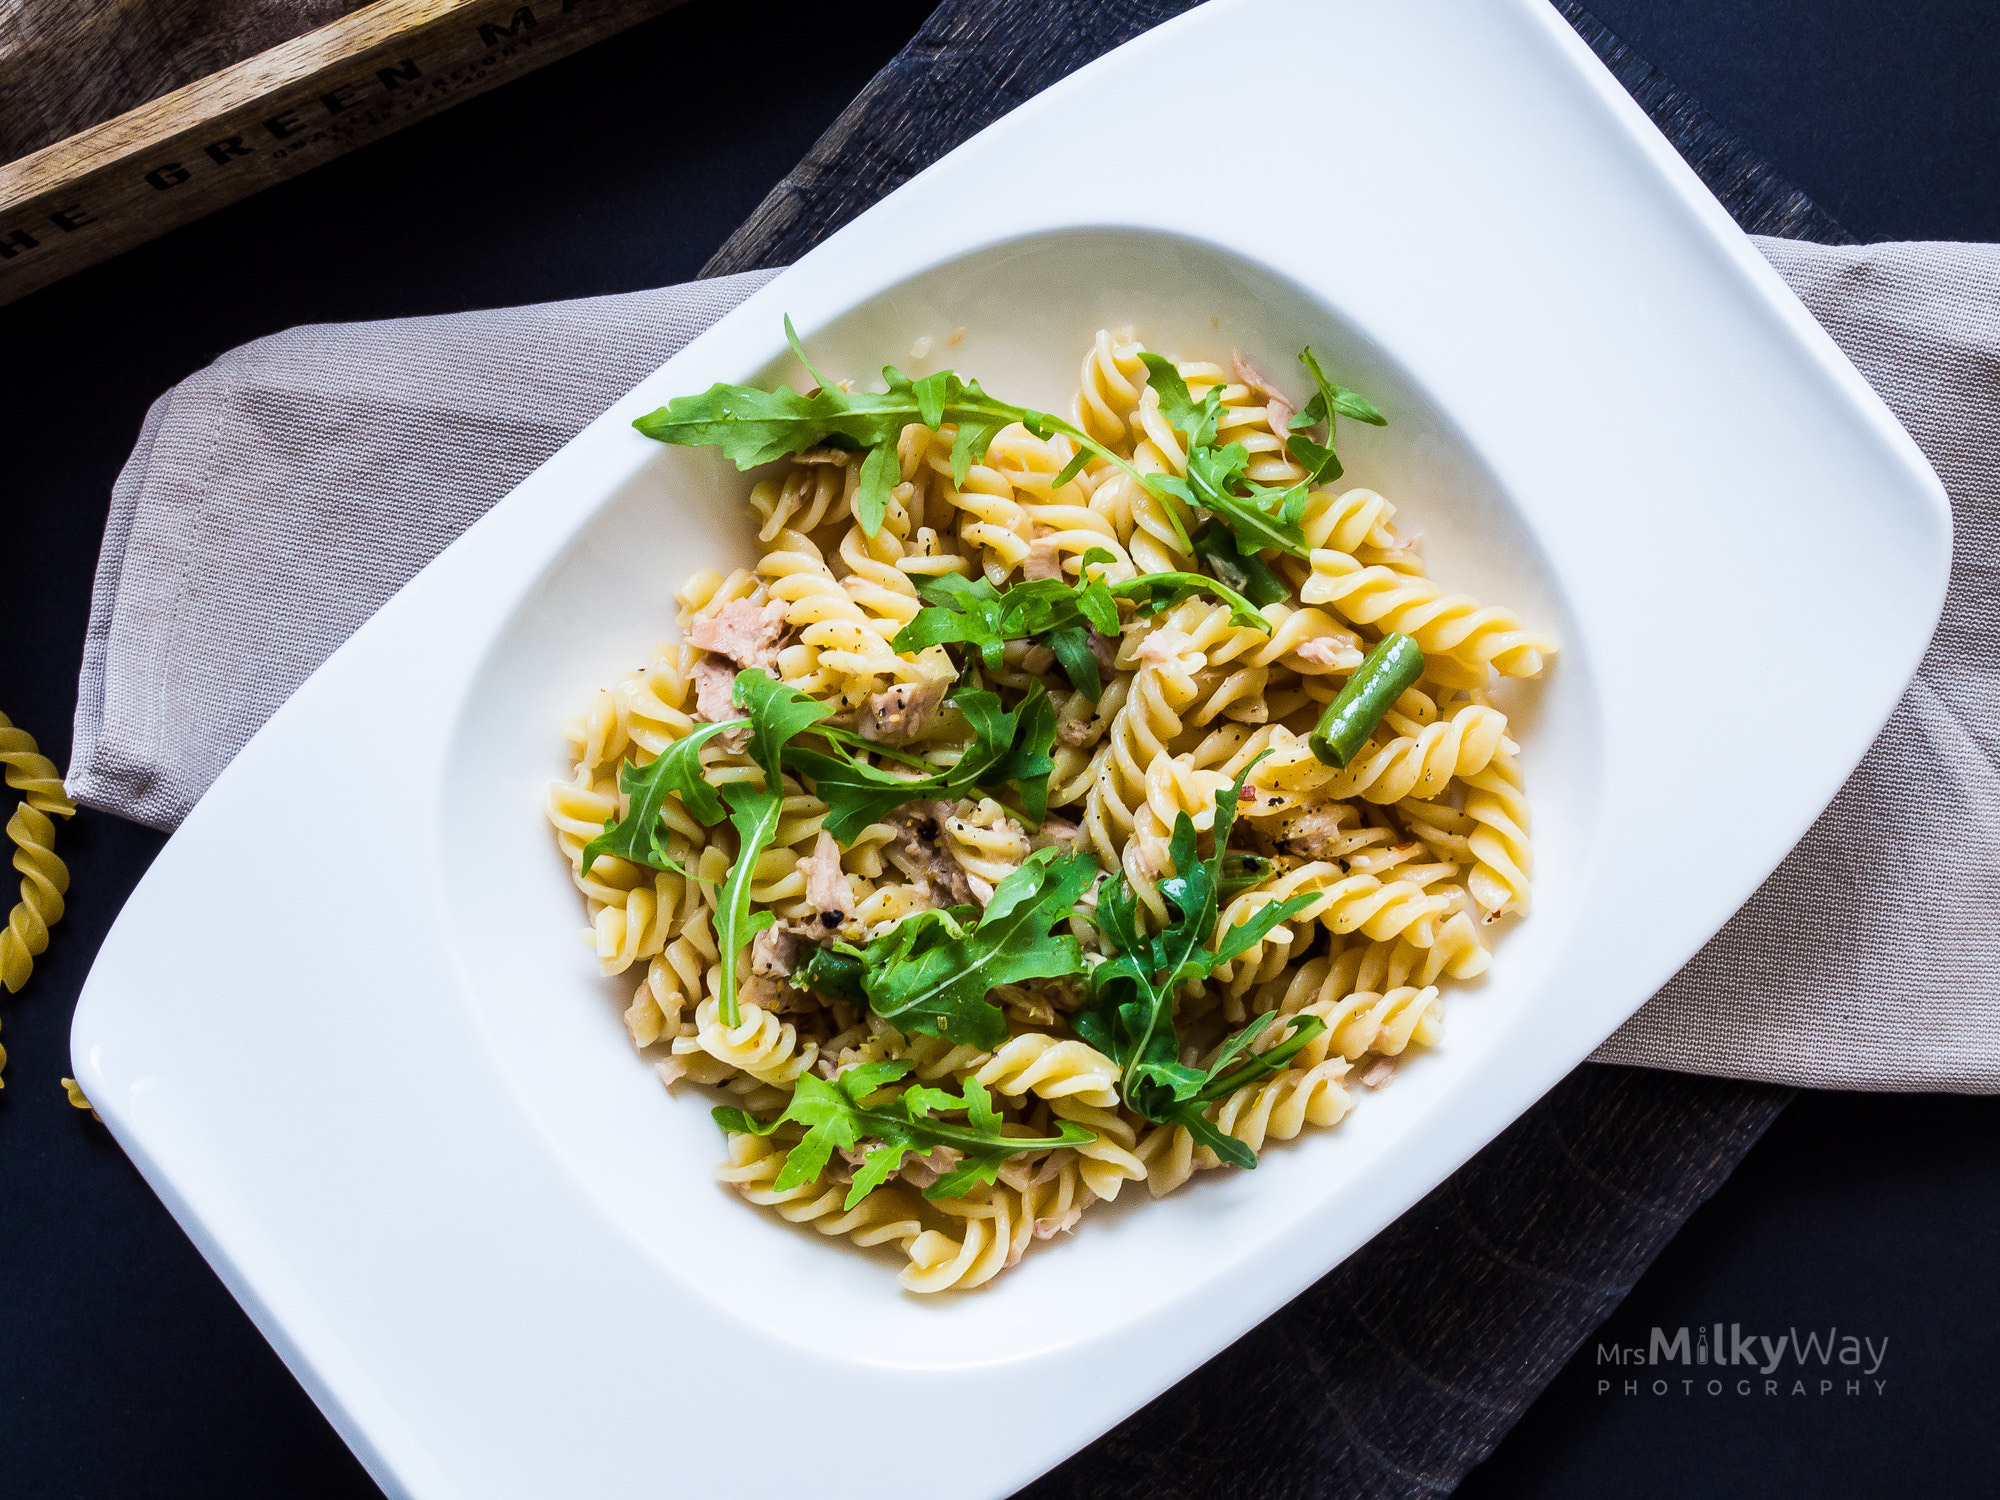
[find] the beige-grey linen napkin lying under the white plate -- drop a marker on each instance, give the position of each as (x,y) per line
(279,497)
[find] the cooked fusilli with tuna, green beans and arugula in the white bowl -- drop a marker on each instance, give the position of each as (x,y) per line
(895,837)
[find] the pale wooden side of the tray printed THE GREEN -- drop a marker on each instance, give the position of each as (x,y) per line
(267,119)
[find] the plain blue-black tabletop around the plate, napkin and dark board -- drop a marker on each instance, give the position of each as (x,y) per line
(125,1367)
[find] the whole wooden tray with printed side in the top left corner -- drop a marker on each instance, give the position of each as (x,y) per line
(105,185)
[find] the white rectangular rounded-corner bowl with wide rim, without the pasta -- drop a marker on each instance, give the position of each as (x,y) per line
(345,1025)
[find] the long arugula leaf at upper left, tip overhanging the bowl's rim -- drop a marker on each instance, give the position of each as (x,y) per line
(757,427)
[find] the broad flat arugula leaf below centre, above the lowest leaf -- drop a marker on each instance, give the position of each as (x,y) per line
(933,971)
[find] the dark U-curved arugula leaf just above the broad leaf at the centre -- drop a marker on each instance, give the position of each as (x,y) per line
(1007,747)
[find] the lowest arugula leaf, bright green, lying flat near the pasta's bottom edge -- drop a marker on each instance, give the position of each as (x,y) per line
(839,1117)
